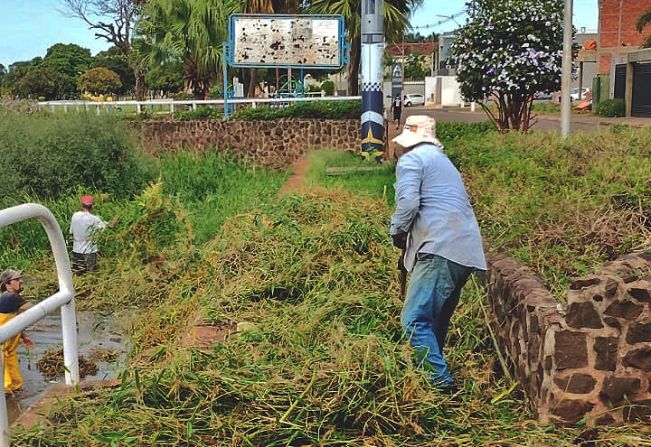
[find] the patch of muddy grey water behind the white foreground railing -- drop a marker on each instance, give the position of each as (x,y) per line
(96,333)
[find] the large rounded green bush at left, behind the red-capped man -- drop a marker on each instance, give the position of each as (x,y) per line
(47,156)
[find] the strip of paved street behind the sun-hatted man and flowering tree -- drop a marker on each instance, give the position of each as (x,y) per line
(586,123)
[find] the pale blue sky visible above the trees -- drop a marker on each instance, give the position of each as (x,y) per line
(29,27)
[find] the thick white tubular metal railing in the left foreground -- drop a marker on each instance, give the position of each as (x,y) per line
(63,299)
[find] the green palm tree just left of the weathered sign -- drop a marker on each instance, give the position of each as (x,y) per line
(190,31)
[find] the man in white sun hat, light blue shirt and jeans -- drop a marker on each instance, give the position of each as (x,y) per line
(436,227)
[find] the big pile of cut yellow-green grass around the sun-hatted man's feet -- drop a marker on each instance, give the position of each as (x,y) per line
(321,360)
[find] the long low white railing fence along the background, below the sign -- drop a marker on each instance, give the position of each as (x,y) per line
(170,106)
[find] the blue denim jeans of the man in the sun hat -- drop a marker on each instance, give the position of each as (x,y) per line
(432,296)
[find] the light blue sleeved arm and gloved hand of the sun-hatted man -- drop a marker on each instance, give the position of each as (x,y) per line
(409,174)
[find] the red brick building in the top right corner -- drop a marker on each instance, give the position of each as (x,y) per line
(617,33)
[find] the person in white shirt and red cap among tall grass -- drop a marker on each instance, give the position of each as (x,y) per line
(83,228)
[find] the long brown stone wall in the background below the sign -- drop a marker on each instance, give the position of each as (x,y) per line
(270,143)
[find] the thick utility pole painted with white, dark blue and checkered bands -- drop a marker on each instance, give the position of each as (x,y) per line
(372,76)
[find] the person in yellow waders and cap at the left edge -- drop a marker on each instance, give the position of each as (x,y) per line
(11,285)
